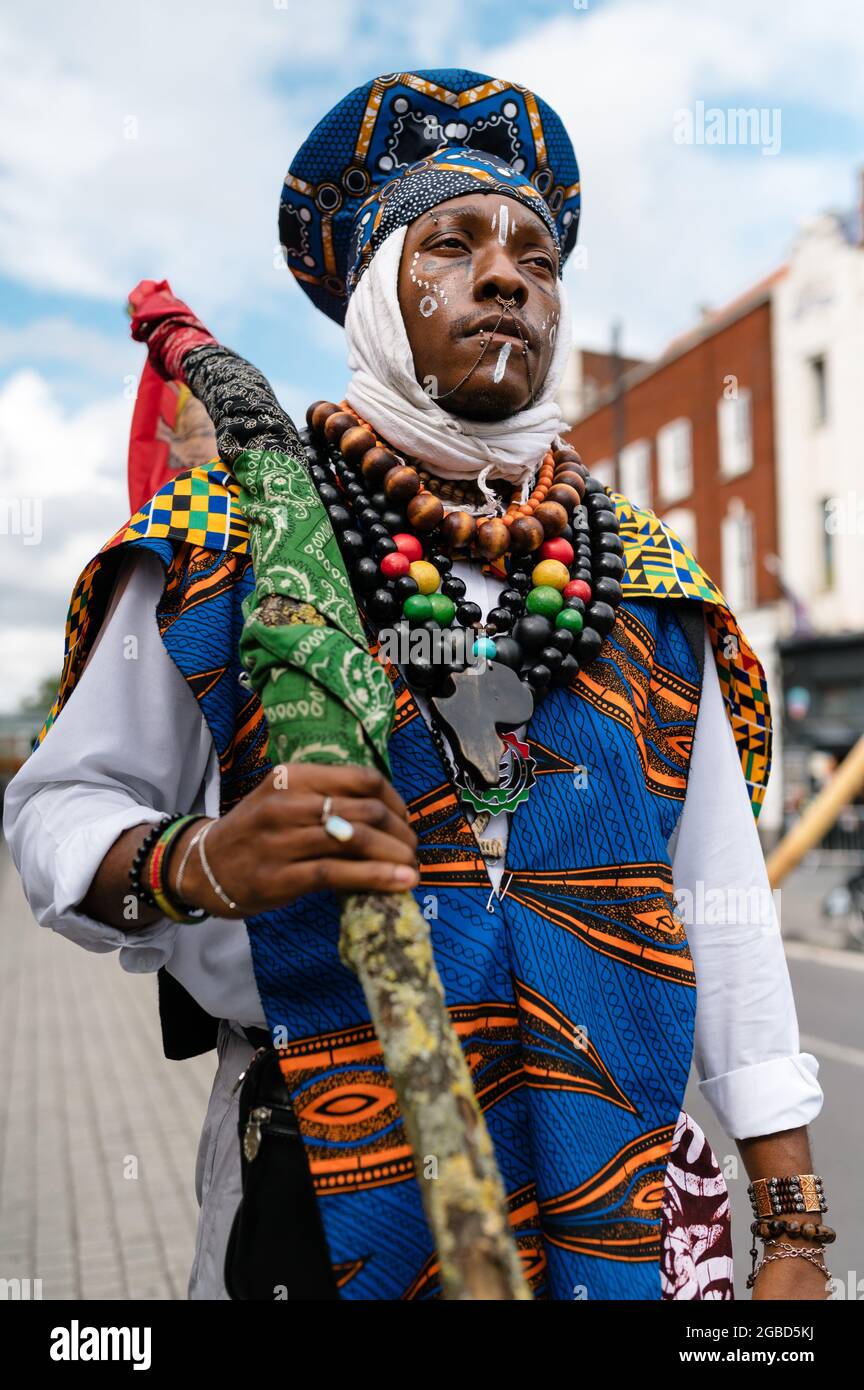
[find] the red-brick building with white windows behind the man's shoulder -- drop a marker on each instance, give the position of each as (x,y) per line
(691,436)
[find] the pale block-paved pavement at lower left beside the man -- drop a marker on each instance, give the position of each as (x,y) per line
(98,1131)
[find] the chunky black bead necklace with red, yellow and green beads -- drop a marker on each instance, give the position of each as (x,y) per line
(545,633)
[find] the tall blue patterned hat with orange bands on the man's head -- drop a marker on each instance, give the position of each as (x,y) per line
(404,144)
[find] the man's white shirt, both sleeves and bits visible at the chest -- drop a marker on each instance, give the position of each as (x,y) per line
(133,744)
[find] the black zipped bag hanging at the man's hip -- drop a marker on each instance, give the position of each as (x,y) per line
(277,1249)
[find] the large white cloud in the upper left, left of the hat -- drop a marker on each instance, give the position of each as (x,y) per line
(149,140)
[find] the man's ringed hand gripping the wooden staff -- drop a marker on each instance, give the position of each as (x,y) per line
(273,847)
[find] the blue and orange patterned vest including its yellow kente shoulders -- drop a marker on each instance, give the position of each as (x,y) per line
(573,993)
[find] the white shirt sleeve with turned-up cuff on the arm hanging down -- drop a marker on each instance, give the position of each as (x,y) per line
(748,1049)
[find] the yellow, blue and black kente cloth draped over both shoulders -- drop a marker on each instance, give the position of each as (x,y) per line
(201,508)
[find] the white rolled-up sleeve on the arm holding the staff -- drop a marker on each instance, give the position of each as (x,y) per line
(128,747)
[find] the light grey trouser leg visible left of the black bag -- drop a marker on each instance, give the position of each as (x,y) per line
(217,1172)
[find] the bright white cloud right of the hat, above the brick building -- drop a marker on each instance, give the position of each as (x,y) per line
(669,227)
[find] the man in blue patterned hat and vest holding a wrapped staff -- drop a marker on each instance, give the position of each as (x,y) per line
(433,213)
